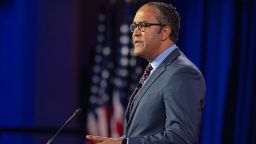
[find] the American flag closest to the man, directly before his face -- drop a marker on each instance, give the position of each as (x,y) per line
(127,72)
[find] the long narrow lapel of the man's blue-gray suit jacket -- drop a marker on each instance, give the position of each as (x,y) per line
(153,77)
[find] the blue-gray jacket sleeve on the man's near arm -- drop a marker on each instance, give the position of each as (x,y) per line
(184,101)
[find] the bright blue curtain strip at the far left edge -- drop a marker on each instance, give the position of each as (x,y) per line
(17,42)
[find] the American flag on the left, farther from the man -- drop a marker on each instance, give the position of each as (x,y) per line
(98,116)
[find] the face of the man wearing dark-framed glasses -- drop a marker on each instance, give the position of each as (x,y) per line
(147,43)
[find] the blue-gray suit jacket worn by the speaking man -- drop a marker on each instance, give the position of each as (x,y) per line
(169,106)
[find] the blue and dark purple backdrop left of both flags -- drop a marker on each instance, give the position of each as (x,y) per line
(38,70)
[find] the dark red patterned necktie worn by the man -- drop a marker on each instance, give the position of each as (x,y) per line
(142,81)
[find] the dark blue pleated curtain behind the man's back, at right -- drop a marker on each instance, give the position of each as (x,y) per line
(219,36)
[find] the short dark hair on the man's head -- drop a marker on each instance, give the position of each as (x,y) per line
(169,16)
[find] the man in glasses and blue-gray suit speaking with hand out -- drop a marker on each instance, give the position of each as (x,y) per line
(167,107)
